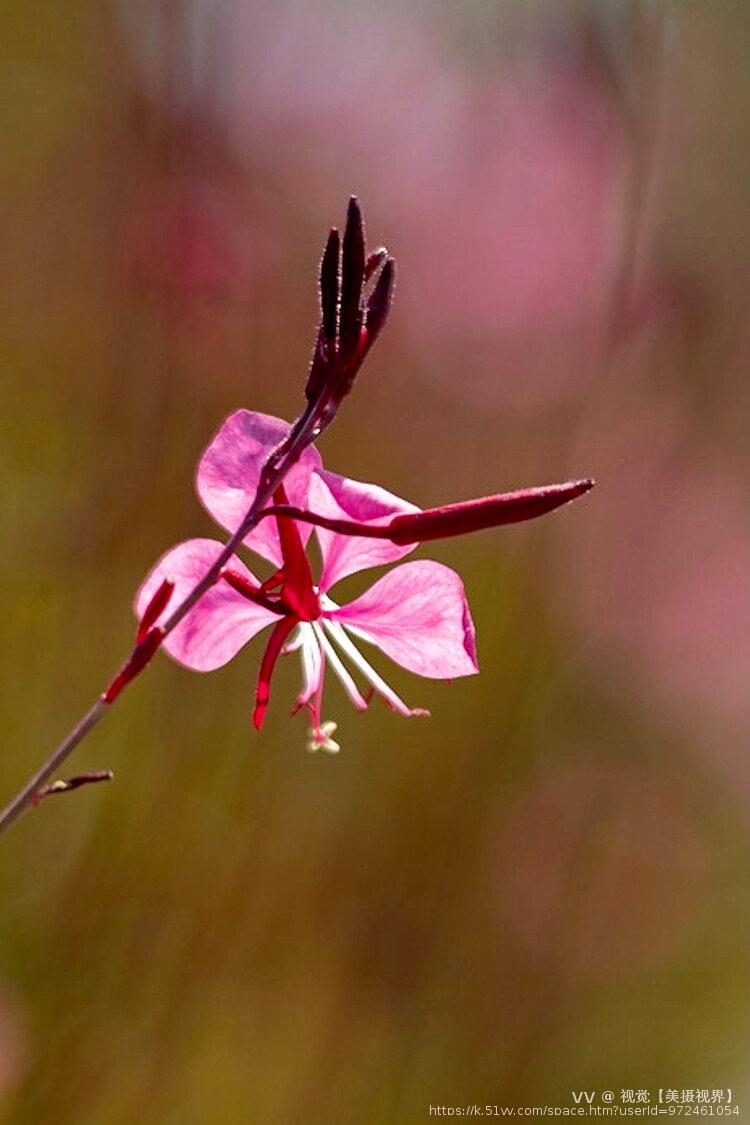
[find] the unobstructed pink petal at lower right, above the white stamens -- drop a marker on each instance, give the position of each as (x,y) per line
(419,617)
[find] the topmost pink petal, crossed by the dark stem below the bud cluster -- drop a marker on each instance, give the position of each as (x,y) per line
(230,471)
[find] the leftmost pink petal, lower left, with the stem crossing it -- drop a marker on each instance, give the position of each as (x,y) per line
(221,624)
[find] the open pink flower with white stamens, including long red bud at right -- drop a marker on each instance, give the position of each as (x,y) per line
(418,615)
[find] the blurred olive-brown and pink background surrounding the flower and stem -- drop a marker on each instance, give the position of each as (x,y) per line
(545,887)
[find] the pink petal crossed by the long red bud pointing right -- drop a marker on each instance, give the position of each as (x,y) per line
(342,499)
